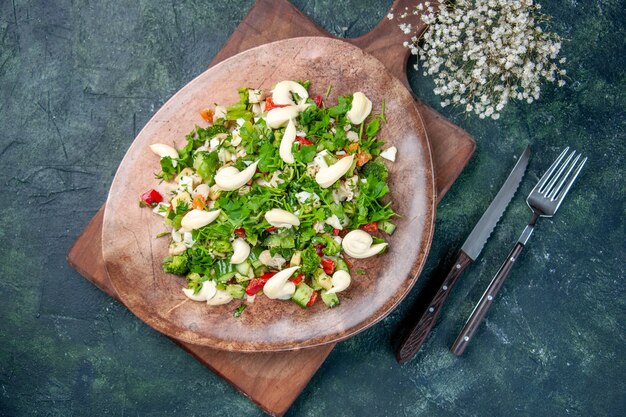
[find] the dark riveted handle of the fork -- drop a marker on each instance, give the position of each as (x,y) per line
(483,305)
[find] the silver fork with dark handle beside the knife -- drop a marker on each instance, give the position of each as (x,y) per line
(544,200)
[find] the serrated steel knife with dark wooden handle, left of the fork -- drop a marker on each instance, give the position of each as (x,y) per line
(418,331)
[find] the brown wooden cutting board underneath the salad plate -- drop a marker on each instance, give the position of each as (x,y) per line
(269,379)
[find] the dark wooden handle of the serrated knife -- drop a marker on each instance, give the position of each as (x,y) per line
(419,330)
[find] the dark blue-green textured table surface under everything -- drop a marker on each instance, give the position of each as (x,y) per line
(79,79)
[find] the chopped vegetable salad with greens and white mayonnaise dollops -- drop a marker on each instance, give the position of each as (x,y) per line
(273,194)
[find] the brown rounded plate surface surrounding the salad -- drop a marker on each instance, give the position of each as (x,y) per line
(133,255)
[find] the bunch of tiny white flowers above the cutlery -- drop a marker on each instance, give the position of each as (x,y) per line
(481,53)
